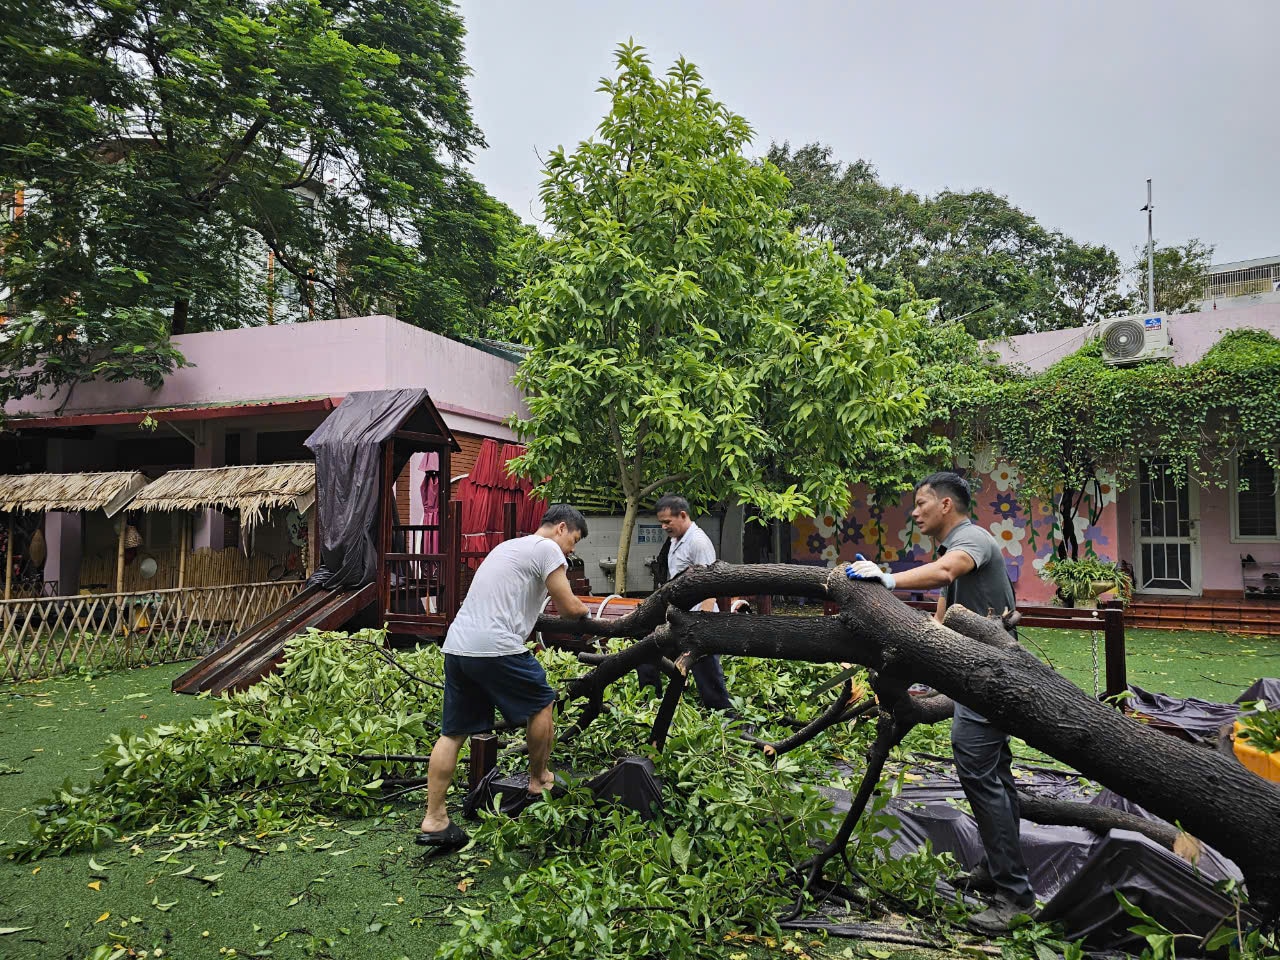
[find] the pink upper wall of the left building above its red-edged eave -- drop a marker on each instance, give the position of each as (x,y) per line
(322,359)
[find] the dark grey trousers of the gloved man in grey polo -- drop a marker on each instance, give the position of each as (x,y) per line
(984,764)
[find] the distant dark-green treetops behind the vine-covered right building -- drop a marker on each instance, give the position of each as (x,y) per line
(986,263)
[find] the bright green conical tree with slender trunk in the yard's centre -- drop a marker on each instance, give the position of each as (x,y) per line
(684,335)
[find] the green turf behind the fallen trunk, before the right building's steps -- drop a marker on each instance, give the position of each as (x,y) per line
(1217,668)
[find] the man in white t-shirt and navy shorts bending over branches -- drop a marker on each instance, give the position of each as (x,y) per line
(487,665)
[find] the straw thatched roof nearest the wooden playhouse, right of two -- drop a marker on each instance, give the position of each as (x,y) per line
(253,490)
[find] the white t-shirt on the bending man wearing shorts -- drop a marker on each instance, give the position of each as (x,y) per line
(505,600)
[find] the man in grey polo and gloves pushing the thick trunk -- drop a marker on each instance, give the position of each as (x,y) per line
(972,572)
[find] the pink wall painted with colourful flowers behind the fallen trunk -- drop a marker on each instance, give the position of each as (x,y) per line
(1027,534)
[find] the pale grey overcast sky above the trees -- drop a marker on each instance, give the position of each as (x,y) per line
(1066,108)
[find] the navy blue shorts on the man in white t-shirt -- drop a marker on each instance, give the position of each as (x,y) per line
(474,685)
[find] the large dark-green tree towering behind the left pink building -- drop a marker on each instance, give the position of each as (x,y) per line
(195,166)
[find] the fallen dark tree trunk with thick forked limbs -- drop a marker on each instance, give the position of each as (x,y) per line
(971,660)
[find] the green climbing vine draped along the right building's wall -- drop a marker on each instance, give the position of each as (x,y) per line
(1082,420)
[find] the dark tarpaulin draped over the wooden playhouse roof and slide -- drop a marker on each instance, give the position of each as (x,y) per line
(349,472)
